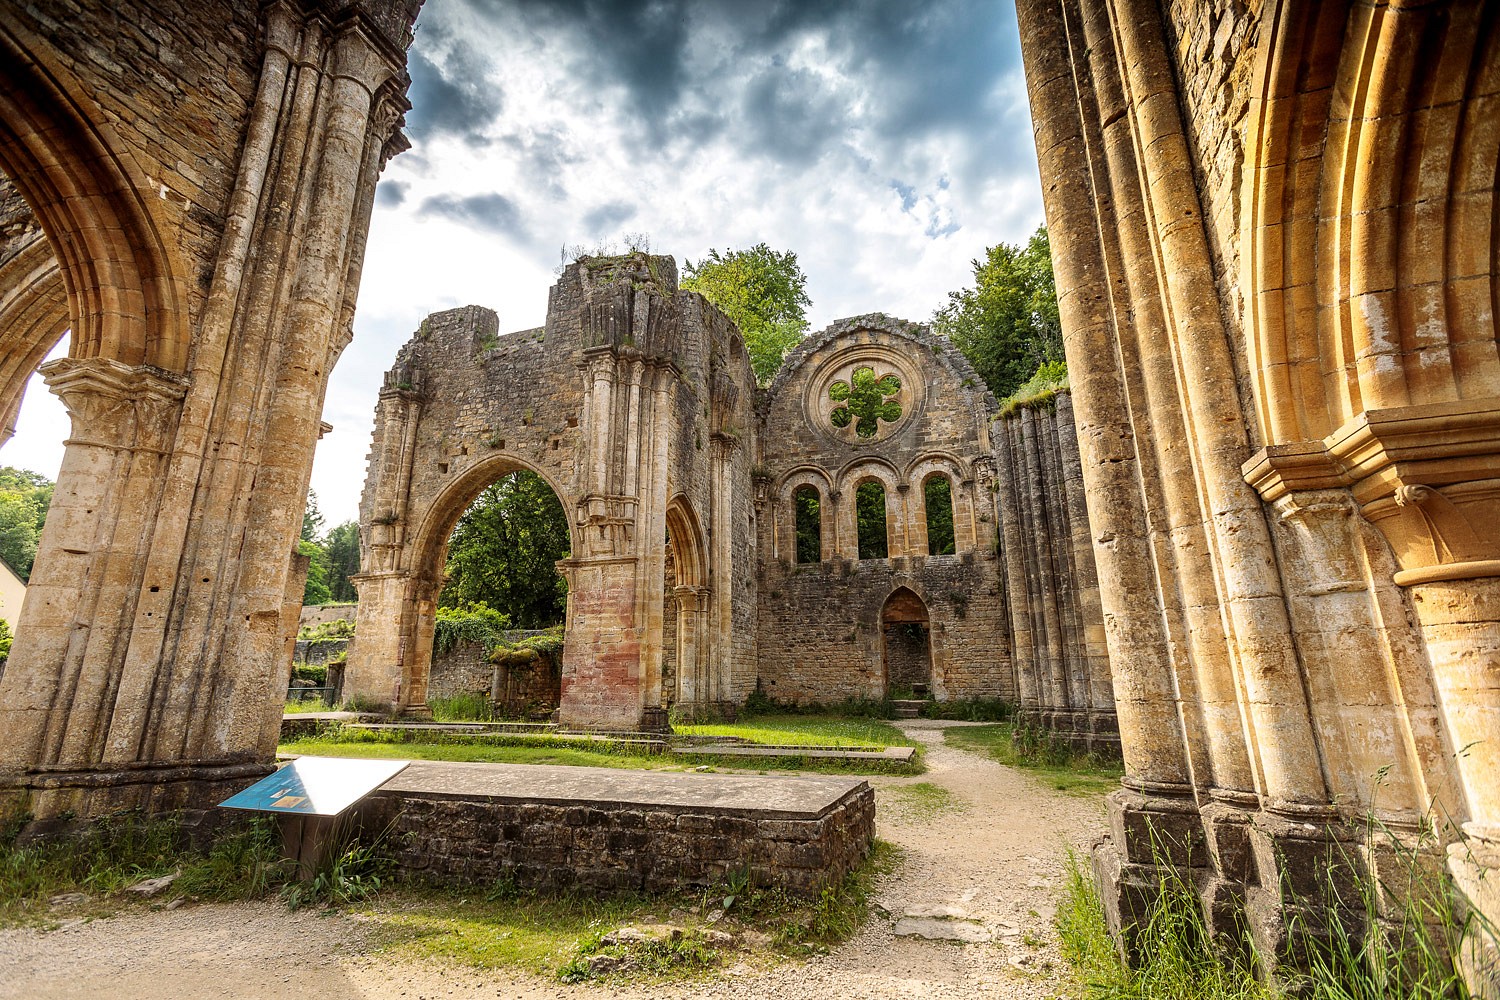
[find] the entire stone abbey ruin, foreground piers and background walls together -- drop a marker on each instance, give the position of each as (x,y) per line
(1255,545)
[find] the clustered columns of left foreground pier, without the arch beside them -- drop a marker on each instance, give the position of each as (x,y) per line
(151,650)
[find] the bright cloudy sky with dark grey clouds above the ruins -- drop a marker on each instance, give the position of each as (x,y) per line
(886,142)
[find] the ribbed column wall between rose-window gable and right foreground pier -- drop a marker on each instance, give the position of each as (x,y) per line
(1063,668)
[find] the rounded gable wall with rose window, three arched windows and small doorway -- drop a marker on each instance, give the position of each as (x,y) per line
(823,624)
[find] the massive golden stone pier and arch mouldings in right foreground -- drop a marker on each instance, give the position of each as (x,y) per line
(1276,251)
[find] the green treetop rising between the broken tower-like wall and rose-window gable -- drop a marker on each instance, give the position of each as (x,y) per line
(764,292)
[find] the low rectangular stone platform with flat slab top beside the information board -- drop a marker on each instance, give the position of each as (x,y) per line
(611,830)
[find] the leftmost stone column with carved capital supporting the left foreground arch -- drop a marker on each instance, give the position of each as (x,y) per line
(61,683)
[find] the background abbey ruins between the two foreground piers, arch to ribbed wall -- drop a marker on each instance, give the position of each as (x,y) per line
(718,539)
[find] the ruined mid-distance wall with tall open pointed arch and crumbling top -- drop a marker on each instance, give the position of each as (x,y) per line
(635,406)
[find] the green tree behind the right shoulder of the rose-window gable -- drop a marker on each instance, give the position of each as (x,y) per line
(1007,325)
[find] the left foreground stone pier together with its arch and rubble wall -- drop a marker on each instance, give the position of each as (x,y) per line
(203,176)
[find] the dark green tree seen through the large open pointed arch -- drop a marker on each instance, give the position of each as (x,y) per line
(505,551)
